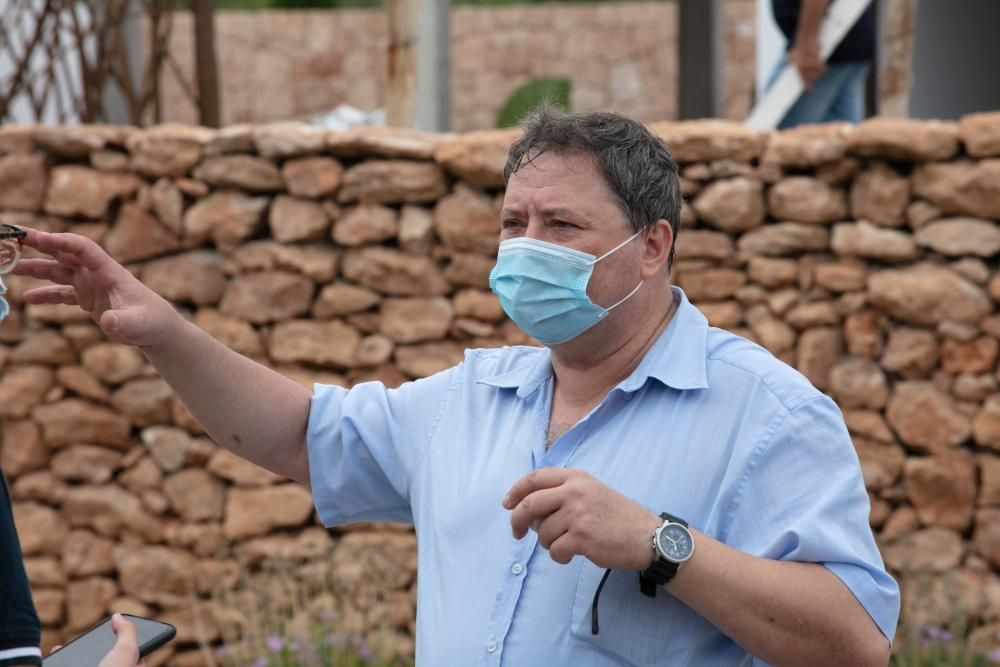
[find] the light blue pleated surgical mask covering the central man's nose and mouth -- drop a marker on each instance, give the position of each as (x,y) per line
(543,288)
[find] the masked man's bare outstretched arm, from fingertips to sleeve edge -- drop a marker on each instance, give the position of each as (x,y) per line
(246,407)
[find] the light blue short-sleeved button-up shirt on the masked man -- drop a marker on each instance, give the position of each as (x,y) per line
(710,427)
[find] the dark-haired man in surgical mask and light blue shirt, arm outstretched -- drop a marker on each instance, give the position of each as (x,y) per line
(528,472)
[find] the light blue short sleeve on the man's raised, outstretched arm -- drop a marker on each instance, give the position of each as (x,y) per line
(365,444)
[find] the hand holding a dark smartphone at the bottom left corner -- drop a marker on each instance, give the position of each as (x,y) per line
(99,647)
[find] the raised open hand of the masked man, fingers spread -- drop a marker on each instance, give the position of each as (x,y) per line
(86,276)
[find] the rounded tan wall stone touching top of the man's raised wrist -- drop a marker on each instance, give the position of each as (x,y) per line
(193,277)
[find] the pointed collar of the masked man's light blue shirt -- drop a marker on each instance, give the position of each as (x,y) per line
(677,359)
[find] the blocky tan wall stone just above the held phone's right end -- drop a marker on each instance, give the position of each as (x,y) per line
(155,574)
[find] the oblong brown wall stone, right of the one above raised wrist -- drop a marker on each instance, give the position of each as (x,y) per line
(268,296)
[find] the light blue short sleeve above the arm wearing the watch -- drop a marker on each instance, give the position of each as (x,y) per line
(802,498)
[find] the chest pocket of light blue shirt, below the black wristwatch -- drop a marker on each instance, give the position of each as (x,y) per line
(633,627)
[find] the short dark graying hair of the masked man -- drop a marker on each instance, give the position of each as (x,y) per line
(636,164)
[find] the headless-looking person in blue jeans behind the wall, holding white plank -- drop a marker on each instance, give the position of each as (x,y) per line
(835,88)
